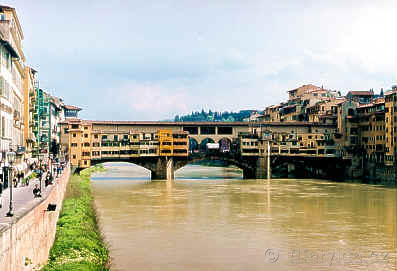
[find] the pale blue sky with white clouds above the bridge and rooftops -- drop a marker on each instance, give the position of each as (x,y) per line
(151,60)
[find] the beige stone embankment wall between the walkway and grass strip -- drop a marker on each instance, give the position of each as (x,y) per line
(26,240)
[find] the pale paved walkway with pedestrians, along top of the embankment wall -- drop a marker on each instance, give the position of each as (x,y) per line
(23,199)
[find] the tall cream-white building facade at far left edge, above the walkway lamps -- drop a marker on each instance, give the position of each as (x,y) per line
(12,75)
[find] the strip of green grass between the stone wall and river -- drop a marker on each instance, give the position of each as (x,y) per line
(78,244)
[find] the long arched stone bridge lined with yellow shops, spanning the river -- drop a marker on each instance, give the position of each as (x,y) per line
(163,147)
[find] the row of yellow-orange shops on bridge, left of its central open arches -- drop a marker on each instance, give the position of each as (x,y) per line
(86,144)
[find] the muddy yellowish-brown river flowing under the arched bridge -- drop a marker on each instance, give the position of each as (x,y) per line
(211,219)
